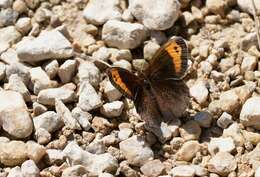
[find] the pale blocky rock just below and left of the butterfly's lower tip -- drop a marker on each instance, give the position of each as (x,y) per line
(136,151)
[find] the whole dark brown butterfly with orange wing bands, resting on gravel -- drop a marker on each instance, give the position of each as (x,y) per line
(159,93)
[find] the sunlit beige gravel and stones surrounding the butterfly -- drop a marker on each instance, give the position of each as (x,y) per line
(61,116)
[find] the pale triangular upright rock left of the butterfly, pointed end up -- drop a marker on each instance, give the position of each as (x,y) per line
(88,97)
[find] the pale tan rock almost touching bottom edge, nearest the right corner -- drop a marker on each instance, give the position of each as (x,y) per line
(222,163)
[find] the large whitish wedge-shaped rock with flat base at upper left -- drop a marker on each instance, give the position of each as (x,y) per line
(49,45)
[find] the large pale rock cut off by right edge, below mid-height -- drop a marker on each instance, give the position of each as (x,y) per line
(250,113)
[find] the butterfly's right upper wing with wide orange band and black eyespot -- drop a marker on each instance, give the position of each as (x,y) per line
(170,61)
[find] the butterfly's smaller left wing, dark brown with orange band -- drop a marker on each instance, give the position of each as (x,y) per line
(125,81)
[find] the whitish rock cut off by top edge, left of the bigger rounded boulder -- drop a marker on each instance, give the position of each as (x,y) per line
(107,10)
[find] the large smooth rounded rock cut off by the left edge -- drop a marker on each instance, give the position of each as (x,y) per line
(14,114)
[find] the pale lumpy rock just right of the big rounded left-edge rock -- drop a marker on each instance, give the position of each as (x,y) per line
(49,120)
